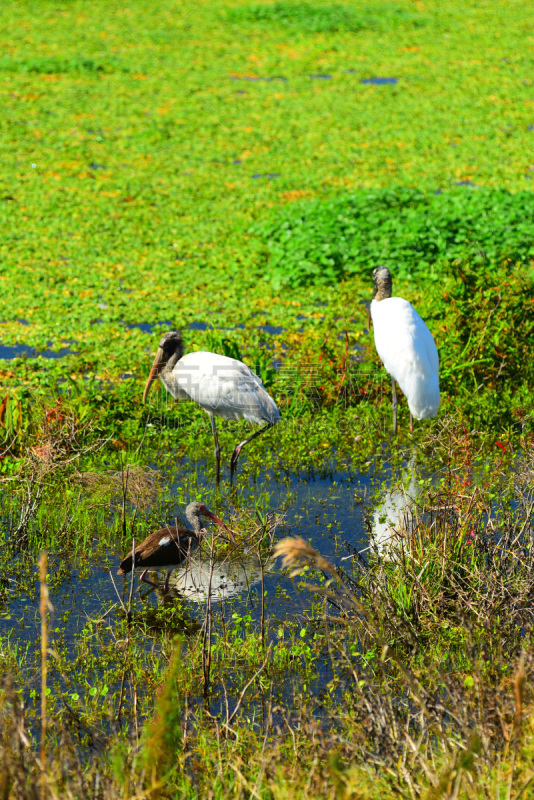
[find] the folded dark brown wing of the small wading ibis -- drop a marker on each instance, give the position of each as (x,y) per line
(164,548)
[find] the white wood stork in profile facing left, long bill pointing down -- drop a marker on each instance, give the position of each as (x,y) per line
(222,386)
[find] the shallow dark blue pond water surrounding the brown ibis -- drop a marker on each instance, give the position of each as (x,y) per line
(332,509)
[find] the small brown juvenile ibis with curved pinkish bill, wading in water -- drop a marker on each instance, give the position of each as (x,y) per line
(169,547)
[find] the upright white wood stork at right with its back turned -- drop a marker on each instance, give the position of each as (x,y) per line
(406,348)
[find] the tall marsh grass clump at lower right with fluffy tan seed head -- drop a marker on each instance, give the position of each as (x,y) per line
(434,639)
